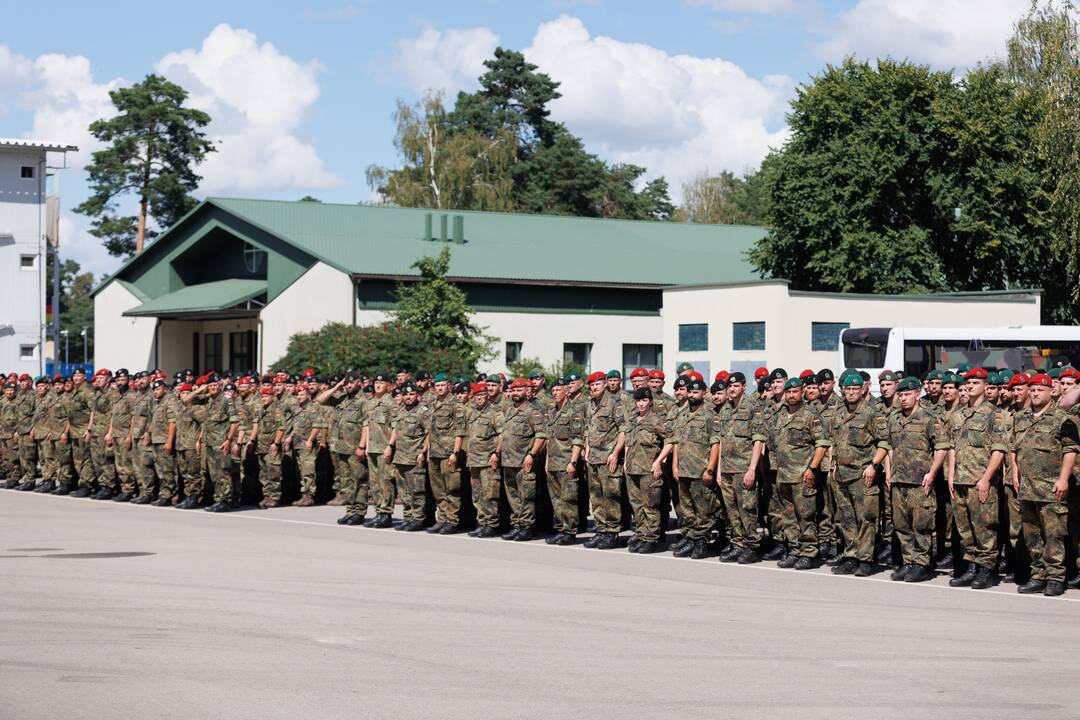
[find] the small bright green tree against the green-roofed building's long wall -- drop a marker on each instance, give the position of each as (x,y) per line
(437,309)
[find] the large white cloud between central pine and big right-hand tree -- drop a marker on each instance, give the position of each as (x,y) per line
(677,115)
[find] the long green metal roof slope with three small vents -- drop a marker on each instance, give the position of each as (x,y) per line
(384,241)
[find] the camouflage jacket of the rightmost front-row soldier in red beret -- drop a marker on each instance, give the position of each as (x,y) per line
(1041,442)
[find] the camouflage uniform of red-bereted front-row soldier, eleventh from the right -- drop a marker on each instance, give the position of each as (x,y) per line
(522,425)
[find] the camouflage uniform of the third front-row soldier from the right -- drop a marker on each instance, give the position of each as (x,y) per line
(914,439)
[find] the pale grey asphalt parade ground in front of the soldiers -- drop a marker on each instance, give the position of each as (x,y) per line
(121,612)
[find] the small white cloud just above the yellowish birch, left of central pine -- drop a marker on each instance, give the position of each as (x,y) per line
(449,61)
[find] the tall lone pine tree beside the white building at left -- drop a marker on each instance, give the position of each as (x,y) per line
(154,144)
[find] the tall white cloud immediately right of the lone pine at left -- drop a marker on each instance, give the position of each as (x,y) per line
(259,99)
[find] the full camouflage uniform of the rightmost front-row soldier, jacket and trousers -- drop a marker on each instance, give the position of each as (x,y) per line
(1041,442)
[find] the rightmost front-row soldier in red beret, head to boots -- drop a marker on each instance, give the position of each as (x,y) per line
(1044,457)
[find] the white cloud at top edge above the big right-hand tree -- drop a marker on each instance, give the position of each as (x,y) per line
(952,34)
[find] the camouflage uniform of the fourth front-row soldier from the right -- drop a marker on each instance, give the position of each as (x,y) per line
(856,434)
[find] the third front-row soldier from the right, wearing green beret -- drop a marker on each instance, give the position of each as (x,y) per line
(919,447)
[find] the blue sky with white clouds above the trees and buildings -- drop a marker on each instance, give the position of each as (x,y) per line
(302,94)
